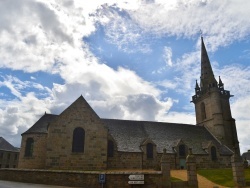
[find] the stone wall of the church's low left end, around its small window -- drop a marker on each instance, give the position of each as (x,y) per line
(37,160)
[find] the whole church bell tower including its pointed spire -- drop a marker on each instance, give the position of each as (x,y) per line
(212,105)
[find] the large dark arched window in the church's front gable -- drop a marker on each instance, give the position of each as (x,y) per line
(78,140)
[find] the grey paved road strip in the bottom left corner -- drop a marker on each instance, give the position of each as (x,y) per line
(11,184)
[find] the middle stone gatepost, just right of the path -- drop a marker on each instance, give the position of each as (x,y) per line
(191,170)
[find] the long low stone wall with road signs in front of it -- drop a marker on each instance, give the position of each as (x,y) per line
(89,179)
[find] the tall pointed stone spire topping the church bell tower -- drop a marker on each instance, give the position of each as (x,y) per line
(207,75)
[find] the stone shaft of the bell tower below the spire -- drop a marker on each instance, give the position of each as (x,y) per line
(218,118)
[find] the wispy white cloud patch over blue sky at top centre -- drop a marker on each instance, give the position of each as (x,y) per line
(122,31)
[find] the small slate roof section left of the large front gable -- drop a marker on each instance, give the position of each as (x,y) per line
(41,126)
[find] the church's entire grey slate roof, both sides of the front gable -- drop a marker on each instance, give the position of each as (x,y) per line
(129,135)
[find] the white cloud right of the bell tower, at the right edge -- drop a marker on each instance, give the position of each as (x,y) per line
(236,79)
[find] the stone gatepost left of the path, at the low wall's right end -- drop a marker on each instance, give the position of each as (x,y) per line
(165,169)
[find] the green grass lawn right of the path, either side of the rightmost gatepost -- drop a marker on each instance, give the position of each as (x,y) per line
(222,177)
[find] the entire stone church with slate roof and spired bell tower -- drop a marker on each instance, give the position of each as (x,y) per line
(78,139)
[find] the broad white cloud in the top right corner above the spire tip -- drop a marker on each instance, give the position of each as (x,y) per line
(186,18)
